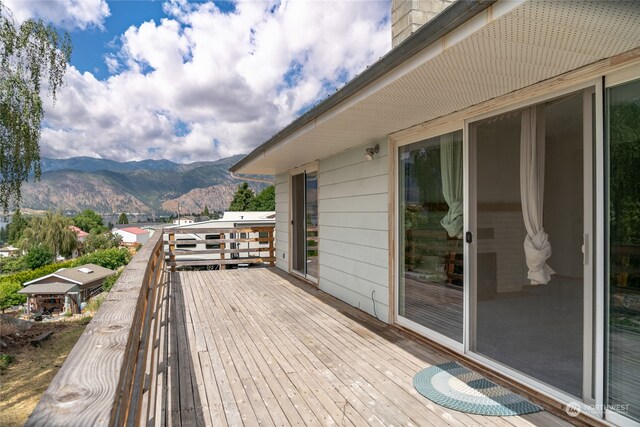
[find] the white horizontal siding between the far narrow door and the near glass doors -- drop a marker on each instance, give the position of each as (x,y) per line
(353,229)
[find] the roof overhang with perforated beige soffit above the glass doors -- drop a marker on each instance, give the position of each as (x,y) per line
(472,52)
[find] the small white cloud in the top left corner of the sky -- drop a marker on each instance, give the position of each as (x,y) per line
(69,14)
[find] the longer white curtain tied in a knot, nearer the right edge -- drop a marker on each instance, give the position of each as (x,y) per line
(537,248)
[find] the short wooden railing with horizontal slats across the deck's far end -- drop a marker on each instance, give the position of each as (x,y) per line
(242,245)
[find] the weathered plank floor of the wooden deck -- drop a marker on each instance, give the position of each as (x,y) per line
(258,347)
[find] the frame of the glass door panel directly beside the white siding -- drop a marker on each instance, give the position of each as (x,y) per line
(403,321)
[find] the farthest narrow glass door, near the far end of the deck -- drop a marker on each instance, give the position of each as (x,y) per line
(305,238)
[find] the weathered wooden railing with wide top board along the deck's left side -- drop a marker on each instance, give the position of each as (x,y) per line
(107,378)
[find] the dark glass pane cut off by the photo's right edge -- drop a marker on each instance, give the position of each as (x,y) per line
(623,137)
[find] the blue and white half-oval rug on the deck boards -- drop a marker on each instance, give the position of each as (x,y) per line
(455,387)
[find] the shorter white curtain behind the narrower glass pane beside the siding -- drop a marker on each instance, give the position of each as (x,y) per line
(451,171)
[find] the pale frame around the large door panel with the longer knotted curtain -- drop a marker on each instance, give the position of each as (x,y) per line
(593,407)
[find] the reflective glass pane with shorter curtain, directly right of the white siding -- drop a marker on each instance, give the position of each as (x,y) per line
(430,282)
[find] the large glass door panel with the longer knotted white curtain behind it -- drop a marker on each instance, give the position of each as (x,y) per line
(533,218)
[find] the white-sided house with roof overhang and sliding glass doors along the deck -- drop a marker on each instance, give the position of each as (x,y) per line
(417,193)
